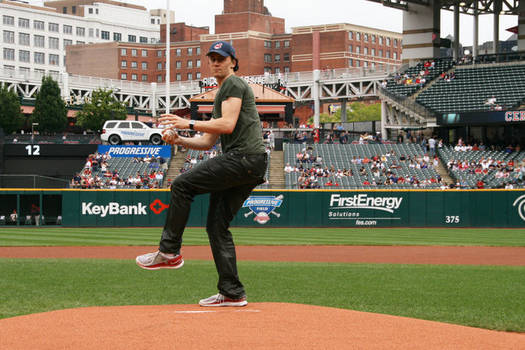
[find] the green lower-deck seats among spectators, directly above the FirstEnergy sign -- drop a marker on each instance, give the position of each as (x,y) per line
(340,157)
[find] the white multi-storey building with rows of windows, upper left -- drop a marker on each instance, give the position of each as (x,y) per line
(34,38)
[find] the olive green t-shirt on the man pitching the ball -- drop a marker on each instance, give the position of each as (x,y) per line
(247,135)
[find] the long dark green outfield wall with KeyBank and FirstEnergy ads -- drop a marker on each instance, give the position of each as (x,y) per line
(282,208)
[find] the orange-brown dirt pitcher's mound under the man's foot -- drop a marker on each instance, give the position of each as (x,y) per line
(257,326)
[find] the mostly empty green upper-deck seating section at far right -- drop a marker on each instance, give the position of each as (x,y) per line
(472,86)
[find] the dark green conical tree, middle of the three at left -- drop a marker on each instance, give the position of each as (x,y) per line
(50,110)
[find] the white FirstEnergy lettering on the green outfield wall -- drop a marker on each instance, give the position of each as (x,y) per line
(363,201)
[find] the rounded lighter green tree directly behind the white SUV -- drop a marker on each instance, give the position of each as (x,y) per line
(102,106)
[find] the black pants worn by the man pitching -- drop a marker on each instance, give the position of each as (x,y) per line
(229,178)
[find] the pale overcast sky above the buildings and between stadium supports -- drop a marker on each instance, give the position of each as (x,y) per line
(310,12)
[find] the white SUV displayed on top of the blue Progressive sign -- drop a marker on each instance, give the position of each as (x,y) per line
(115,132)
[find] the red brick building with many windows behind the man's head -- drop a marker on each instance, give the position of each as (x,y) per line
(259,39)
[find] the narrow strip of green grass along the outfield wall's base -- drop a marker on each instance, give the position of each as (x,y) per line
(63,236)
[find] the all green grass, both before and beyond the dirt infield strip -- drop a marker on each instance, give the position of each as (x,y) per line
(480,296)
